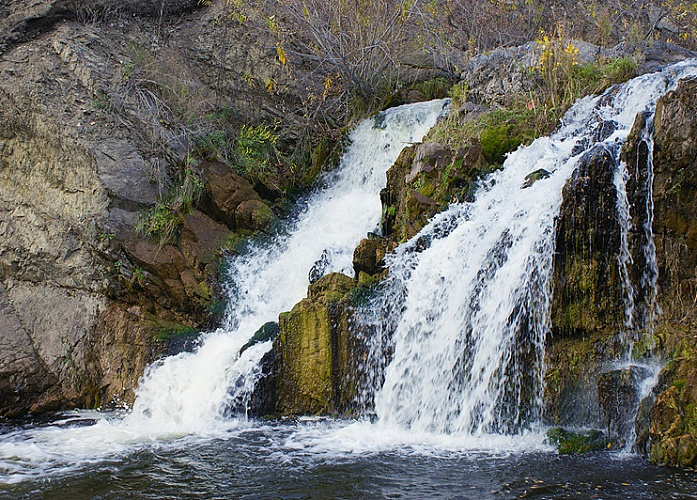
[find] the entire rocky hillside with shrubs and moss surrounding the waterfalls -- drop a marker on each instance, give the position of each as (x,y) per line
(137,141)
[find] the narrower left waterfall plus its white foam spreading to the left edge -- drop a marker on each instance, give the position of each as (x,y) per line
(190,393)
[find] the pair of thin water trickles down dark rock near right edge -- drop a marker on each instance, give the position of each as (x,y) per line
(629,381)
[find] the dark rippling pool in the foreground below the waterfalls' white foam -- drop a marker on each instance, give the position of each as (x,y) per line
(249,465)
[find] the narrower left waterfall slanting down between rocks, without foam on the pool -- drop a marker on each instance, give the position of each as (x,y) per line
(272,276)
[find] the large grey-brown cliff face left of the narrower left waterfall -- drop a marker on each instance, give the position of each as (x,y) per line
(90,143)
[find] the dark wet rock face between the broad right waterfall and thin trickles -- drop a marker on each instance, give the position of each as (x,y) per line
(587,307)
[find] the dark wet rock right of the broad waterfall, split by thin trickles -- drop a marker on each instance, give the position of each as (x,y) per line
(588,309)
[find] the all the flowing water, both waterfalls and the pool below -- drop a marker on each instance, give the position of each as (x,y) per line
(457,364)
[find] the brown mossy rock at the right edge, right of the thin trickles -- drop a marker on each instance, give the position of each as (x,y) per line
(672,433)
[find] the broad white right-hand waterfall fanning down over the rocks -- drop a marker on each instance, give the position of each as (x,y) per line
(467,301)
